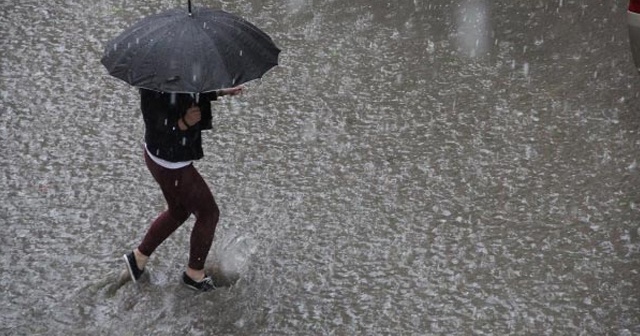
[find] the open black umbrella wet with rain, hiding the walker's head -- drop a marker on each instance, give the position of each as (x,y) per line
(190,51)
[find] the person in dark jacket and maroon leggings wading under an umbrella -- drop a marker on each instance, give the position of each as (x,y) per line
(173,125)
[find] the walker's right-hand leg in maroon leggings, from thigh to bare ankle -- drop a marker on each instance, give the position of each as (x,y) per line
(197,199)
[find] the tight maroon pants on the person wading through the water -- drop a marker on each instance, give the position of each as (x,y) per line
(186,193)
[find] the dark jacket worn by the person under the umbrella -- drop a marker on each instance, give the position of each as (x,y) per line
(161,112)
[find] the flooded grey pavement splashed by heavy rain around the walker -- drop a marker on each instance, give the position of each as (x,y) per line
(412,168)
